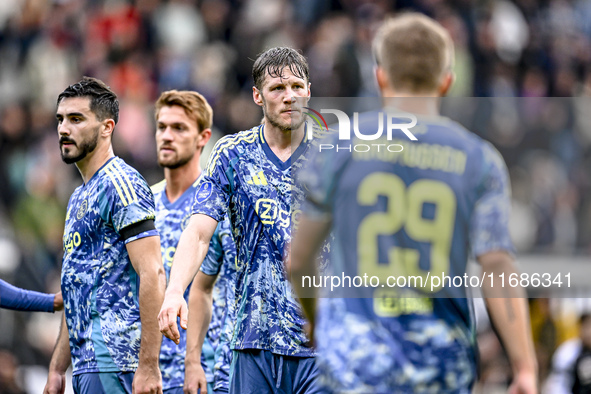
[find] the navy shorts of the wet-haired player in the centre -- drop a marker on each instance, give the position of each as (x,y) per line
(255,371)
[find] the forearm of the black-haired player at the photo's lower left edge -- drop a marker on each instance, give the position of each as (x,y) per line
(60,361)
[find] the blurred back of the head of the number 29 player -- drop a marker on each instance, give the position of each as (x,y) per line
(414,51)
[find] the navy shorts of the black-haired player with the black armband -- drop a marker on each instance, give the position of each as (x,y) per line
(103,383)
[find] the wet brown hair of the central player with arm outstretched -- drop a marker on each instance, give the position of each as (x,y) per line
(274,60)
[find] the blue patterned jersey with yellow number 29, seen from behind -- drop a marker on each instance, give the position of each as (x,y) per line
(417,212)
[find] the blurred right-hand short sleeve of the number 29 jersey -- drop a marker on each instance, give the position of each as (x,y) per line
(489,225)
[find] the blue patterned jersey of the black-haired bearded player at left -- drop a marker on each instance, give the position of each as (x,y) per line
(99,285)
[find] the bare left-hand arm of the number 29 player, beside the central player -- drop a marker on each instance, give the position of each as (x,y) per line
(306,244)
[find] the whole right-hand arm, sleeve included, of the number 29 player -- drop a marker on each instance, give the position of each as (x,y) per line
(491,244)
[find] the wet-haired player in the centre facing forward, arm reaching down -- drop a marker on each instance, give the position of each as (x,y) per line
(249,178)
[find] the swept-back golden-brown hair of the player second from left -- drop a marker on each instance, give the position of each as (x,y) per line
(195,105)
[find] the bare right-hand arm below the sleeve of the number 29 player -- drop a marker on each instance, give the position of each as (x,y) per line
(508,310)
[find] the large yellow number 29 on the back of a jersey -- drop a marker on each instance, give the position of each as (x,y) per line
(404,210)
